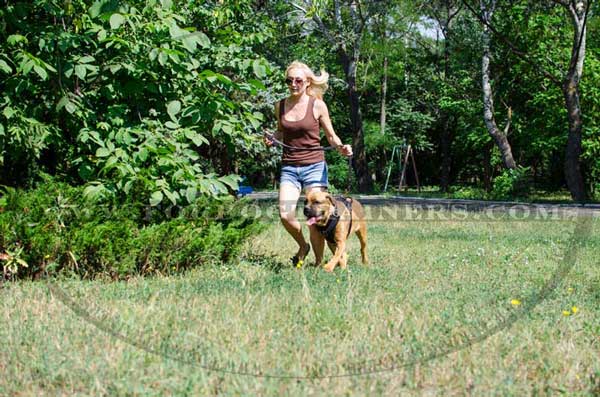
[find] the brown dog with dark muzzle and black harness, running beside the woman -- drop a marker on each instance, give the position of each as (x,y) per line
(335,220)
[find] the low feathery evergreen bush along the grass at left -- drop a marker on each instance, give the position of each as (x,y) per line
(52,229)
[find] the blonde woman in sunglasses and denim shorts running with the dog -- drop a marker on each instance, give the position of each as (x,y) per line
(300,118)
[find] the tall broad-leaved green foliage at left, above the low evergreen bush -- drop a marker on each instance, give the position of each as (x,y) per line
(135,98)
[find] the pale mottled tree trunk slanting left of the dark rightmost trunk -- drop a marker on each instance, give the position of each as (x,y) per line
(500,137)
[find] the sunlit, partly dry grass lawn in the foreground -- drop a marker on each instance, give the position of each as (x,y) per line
(434,286)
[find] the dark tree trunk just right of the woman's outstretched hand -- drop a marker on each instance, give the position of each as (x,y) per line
(365,184)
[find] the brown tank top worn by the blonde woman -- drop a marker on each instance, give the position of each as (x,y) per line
(302,133)
